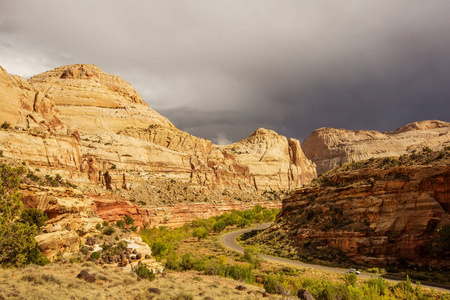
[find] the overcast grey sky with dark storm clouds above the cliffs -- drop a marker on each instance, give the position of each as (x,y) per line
(222,69)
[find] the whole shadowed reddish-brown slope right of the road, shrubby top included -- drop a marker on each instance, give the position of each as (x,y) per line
(382,212)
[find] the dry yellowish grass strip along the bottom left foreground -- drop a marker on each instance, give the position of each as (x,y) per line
(58,281)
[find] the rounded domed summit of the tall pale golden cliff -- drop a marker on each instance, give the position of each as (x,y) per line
(92,101)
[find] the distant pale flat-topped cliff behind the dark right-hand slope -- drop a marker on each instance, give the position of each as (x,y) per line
(329,147)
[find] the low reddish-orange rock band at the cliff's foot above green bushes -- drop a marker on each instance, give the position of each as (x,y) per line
(169,216)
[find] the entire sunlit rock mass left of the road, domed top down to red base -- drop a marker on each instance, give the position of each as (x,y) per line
(94,131)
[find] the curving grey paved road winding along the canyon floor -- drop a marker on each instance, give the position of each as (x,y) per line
(229,240)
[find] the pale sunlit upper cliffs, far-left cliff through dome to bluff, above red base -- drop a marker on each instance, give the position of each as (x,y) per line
(108,123)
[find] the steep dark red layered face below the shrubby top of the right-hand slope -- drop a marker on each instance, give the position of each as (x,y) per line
(374,216)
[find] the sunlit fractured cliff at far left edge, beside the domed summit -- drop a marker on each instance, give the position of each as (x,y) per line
(38,135)
